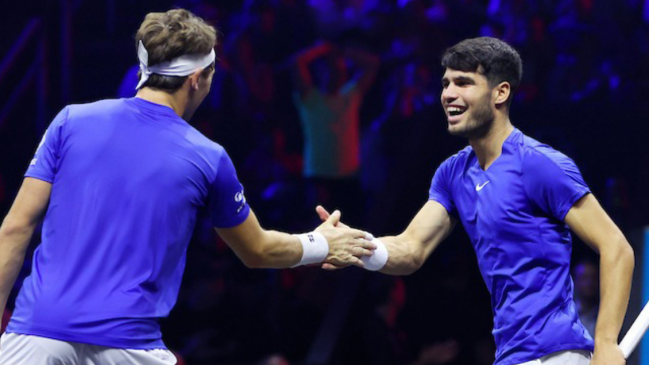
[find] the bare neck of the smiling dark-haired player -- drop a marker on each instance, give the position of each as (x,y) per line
(490,146)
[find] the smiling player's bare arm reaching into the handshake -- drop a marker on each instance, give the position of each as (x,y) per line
(408,251)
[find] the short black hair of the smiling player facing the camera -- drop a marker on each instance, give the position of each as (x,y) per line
(491,57)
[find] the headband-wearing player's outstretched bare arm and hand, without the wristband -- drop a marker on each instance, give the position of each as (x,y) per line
(260,248)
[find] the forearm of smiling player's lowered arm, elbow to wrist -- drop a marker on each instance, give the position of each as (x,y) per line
(616,271)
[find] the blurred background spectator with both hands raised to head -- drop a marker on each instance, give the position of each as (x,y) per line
(329,101)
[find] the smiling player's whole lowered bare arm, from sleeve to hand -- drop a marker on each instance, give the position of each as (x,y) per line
(591,223)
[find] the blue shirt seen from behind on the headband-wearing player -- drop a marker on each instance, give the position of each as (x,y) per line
(128,177)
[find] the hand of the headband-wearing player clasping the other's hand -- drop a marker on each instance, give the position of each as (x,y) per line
(346,245)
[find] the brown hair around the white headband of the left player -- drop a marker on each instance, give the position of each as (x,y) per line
(173,34)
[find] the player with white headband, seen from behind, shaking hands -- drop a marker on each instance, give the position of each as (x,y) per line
(119,183)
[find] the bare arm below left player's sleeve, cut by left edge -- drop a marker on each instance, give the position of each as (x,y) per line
(17,229)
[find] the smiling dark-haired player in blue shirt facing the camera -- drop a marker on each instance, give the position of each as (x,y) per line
(518,199)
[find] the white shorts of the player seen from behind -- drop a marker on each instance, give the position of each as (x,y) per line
(34,350)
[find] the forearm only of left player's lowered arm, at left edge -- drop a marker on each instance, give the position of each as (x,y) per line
(13,244)
